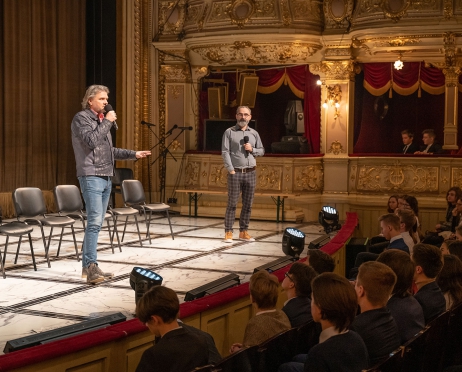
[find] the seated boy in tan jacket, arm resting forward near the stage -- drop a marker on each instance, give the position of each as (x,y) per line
(268,321)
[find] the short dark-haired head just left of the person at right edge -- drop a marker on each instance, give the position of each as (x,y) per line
(427,259)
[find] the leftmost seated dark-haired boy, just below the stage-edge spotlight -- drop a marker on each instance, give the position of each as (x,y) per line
(178,350)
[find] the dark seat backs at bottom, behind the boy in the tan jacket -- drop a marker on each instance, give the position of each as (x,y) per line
(269,355)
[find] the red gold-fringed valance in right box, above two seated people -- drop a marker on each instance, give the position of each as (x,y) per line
(382,77)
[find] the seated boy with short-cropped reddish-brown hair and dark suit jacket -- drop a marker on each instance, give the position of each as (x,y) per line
(375,323)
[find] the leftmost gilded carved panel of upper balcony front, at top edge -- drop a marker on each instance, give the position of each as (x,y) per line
(171,10)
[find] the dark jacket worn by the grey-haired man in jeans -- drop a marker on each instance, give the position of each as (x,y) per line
(92,143)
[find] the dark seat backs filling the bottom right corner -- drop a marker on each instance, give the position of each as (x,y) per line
(433,349)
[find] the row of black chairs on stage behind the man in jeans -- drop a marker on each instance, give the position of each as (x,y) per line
(30,209)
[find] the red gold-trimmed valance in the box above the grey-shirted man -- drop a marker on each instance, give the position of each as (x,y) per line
(271,80)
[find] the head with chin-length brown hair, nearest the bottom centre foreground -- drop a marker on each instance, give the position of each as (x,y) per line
(333,299)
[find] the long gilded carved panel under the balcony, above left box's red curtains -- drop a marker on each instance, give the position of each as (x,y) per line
(256,53)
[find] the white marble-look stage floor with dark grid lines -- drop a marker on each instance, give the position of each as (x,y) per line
(49,298)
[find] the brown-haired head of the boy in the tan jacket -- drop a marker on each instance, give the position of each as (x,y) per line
(264,290)
